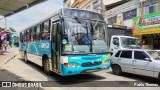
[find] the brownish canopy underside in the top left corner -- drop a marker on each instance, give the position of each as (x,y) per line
(9,7)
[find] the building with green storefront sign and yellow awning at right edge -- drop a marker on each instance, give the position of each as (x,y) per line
(147,25)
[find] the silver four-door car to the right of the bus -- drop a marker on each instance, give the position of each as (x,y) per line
(136,61)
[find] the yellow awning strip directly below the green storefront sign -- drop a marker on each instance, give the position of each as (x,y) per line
(142,32)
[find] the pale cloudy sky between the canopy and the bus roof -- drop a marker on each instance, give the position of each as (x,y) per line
(27,17)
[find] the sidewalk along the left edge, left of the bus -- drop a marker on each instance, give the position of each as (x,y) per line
(6,75)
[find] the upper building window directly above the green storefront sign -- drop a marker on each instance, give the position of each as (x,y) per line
(151,8)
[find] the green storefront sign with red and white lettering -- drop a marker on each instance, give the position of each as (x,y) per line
(150,21)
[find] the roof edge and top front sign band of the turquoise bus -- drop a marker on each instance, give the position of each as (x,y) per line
(69,13)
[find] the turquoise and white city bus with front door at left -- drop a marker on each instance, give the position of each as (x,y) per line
(67,42)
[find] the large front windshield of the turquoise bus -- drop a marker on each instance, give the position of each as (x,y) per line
(83,36)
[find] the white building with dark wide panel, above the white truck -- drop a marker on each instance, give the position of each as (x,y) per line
(122,12)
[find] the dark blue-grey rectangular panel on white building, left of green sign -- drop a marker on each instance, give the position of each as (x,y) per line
(129,14)
